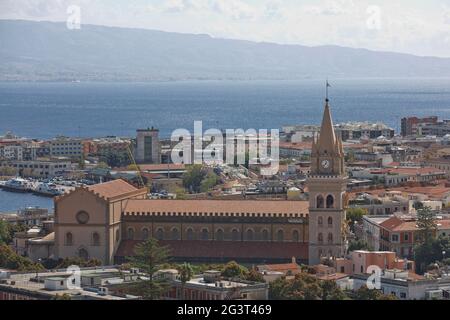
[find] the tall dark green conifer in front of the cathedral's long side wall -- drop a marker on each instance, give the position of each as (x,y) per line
(148,258)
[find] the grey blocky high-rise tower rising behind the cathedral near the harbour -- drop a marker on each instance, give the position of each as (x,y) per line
(147,146)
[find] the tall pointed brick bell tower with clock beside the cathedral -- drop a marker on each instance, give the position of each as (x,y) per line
(327,186)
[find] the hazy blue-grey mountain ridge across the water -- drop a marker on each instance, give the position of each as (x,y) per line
(50,51)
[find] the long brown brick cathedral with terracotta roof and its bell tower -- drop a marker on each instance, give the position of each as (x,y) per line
(106,221)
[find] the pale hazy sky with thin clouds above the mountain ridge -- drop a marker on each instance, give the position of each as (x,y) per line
(414,26)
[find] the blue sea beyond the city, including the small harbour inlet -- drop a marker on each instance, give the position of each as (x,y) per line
(44,110)
